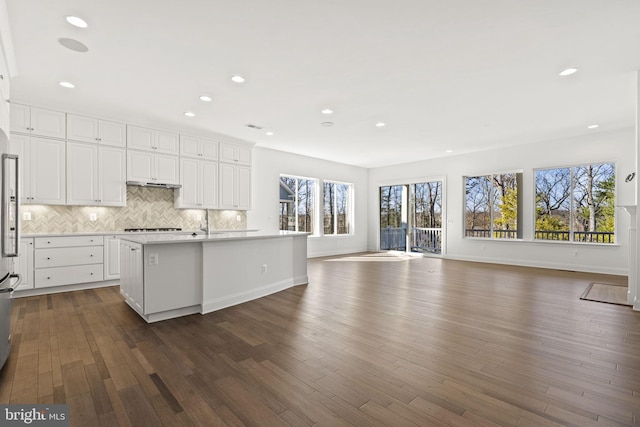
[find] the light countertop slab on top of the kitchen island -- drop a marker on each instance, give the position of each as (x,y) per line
(215,236)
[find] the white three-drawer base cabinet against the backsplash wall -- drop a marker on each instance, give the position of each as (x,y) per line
(68,260)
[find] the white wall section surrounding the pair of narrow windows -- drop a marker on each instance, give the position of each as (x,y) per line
(268,165)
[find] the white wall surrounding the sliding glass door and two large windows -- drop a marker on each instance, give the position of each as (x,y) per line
(598,147)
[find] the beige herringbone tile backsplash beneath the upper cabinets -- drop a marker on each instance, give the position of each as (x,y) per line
(146,207)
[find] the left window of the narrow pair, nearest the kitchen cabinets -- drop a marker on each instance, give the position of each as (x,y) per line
(297,203)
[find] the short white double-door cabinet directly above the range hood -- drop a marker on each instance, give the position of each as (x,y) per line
(143,166)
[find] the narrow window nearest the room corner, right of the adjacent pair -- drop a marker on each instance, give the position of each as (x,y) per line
(337,208)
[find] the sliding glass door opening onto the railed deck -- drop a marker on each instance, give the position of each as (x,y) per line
(411,217)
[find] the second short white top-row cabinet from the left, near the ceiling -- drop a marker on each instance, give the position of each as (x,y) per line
(89,129)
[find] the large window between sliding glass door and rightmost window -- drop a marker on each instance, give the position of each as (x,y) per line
(493,206)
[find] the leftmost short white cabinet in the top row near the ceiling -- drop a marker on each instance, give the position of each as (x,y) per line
(38,121)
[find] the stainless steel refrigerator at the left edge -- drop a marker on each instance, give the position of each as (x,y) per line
(10,238)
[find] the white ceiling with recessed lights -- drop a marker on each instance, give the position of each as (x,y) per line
(460,75)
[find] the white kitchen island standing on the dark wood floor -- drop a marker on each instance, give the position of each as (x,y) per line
(172,275)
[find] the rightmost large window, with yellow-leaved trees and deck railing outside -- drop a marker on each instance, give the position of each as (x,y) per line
(576,203)
